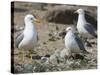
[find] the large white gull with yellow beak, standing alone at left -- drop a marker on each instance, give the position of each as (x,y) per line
(27,40)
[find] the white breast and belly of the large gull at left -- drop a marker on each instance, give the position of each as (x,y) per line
(29,40)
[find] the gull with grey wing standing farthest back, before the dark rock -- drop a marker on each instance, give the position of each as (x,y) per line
(85,29)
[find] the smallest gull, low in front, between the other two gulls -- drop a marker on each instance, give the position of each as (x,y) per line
(73,42)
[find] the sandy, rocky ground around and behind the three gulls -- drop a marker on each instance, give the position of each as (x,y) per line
(55,19)
